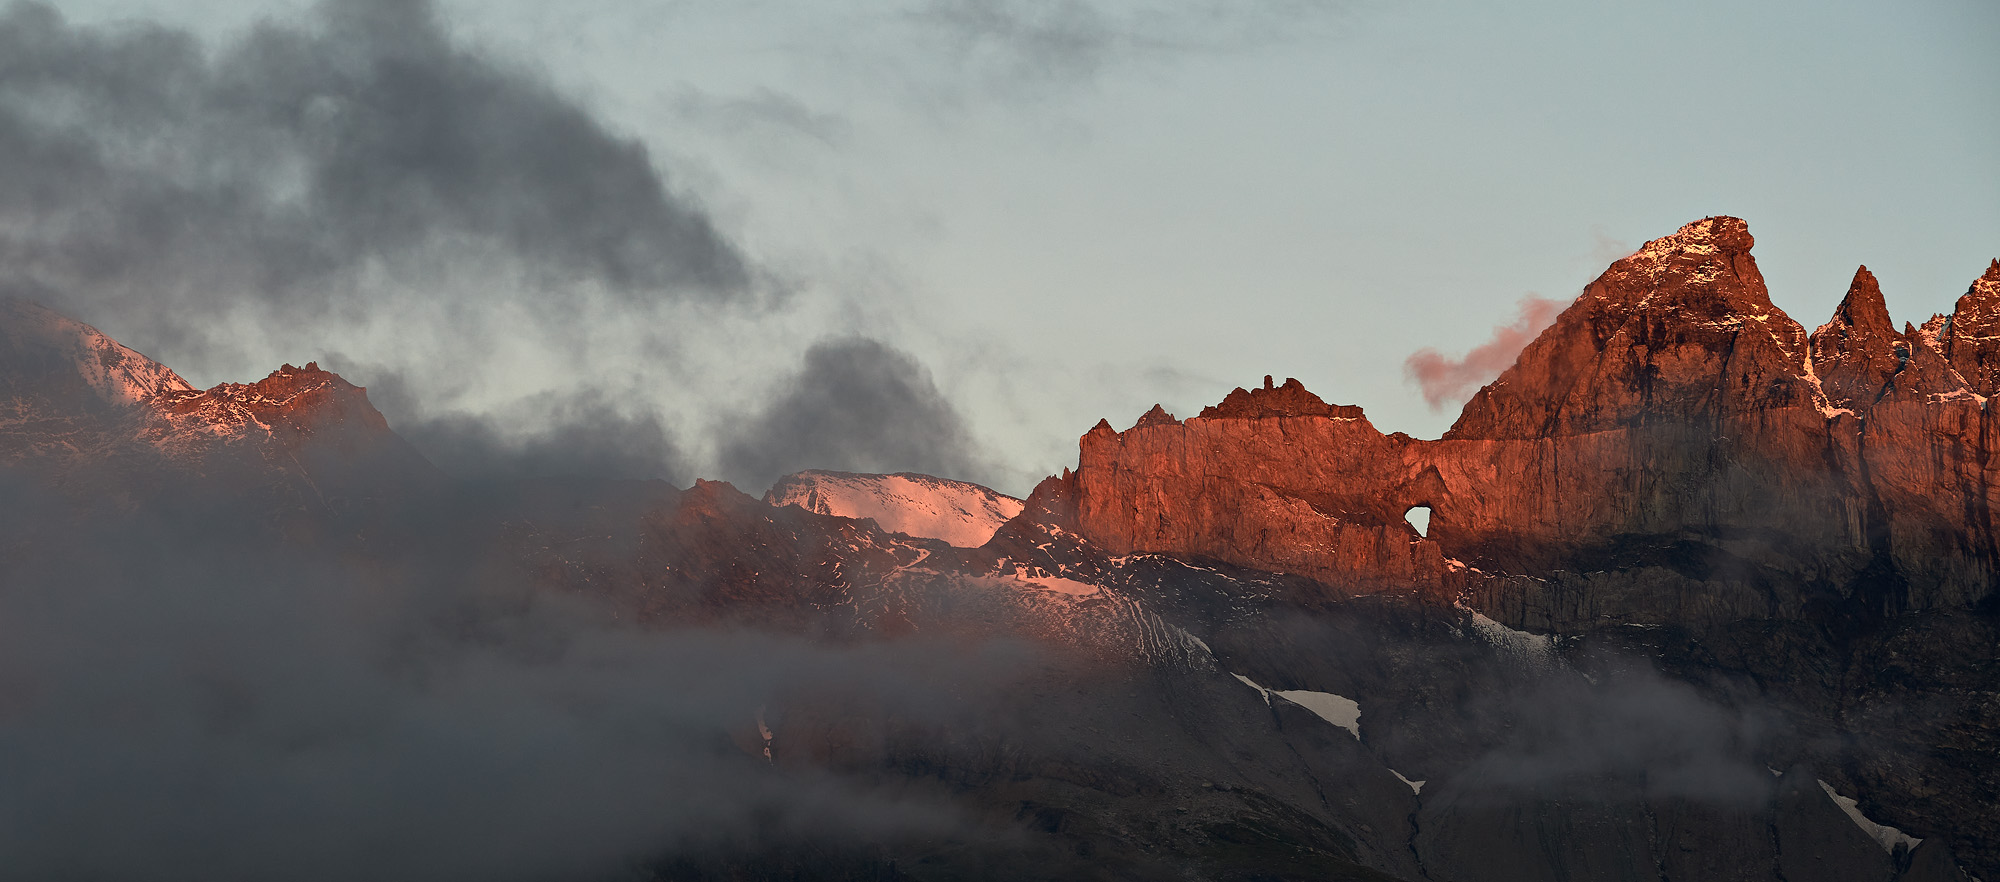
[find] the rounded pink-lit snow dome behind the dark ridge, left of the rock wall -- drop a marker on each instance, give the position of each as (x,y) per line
(915,505)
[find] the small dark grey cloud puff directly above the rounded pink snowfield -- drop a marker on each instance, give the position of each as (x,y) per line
(855,407)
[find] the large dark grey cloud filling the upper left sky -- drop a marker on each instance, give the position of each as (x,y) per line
(151,171)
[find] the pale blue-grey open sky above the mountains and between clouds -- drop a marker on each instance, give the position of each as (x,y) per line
(1079,209)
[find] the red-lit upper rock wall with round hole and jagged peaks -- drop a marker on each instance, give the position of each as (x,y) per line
(1673,449)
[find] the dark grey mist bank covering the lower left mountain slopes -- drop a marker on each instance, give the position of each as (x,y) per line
(193,699)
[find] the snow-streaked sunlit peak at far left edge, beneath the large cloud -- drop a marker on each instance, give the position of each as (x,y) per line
(39,341)
